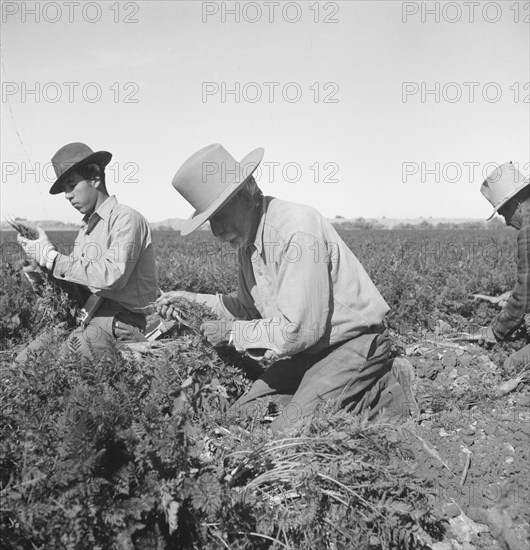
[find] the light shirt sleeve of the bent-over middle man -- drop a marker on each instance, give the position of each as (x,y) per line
(302,300)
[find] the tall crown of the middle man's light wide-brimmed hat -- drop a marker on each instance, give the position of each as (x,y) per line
(207,174)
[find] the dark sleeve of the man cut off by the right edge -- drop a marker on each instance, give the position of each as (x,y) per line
(518,304)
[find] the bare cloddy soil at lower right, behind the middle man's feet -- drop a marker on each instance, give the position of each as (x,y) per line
(476,442)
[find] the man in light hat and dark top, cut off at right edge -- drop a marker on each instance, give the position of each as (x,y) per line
(509,193)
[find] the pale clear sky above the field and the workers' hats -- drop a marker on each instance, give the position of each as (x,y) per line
(372,109)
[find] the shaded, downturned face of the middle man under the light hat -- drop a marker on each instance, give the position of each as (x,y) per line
(232,224)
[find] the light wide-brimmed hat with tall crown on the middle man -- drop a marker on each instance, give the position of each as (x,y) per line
(210,178)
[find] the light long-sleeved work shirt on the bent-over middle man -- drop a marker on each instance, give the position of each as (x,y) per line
(300,288)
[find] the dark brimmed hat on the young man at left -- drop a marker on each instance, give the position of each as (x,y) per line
(73,157)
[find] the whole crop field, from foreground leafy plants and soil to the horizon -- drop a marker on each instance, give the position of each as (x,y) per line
(143,453)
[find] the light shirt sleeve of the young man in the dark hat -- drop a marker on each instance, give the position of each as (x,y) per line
(107,269)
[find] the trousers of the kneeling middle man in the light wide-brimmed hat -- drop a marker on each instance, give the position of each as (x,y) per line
(356,373)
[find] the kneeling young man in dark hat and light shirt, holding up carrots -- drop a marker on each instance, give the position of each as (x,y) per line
(113,255)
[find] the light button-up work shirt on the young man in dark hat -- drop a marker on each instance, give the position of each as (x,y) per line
(114,257)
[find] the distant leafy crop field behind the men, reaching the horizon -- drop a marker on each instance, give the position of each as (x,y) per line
(423,275)
